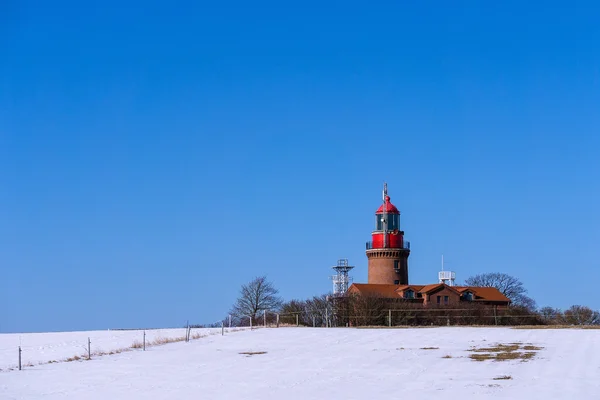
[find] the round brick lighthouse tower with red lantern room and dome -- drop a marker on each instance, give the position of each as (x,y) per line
(388,252)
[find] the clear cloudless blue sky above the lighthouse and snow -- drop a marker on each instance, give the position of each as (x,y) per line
(155,156)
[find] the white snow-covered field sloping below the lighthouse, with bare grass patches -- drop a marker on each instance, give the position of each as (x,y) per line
(320,363)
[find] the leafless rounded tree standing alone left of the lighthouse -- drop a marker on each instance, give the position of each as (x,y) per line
(255,297)
